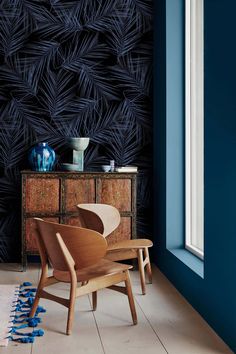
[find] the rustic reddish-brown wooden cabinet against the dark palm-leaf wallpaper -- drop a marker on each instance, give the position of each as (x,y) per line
(53,196)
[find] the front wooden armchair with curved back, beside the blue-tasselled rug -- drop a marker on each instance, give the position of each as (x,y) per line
(76,255)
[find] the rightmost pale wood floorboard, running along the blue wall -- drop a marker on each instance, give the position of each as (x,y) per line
(181,329)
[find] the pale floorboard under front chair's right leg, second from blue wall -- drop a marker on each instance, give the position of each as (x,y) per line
(117,331)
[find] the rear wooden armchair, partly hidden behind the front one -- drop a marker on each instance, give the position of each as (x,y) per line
(105,219)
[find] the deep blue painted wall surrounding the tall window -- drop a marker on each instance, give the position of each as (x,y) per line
(214,296)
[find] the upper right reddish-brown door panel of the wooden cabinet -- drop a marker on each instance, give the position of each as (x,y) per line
(116,192)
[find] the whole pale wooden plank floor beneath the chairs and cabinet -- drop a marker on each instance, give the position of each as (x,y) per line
(167,323)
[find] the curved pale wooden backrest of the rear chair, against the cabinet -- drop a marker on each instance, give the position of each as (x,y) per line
(102,218)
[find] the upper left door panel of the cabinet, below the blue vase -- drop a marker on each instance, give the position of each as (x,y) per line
(42,195)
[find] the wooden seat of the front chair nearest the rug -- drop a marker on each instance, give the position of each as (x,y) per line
(102,268)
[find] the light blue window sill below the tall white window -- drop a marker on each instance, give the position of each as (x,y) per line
(191,261)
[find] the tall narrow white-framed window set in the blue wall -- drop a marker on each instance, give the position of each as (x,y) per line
(194,127)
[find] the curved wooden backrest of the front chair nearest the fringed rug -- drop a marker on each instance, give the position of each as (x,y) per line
(60,242)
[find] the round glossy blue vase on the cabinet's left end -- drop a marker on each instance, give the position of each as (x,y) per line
(42,157)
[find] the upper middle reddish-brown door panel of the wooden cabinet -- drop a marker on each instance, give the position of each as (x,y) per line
(78,191)
